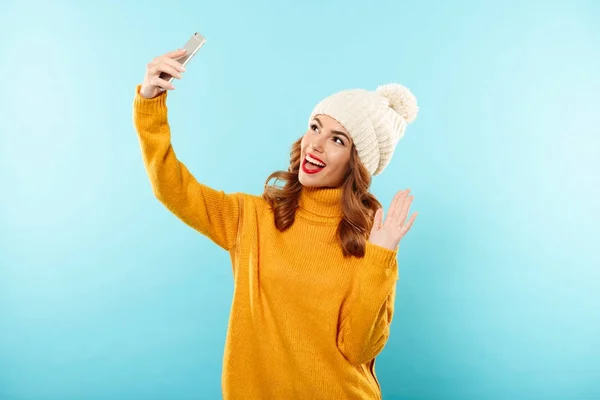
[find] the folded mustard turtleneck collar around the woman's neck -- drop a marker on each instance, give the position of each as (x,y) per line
(322,204)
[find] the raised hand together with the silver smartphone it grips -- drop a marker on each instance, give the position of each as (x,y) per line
(161,71)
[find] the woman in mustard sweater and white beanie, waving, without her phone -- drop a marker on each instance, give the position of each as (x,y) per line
(314,262)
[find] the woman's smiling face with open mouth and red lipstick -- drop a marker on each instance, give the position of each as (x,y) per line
(325,153)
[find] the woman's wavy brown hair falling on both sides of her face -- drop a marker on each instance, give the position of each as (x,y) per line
(358,205)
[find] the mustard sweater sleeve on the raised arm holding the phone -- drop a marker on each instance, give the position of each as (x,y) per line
(213,213)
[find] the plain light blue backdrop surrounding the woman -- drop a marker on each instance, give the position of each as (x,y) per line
(105,295)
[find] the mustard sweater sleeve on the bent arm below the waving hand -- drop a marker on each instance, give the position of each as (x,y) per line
(366,315)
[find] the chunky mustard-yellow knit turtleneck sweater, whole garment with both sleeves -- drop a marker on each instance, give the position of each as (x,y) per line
(305,322)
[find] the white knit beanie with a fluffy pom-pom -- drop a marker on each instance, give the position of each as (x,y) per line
(376,120)
